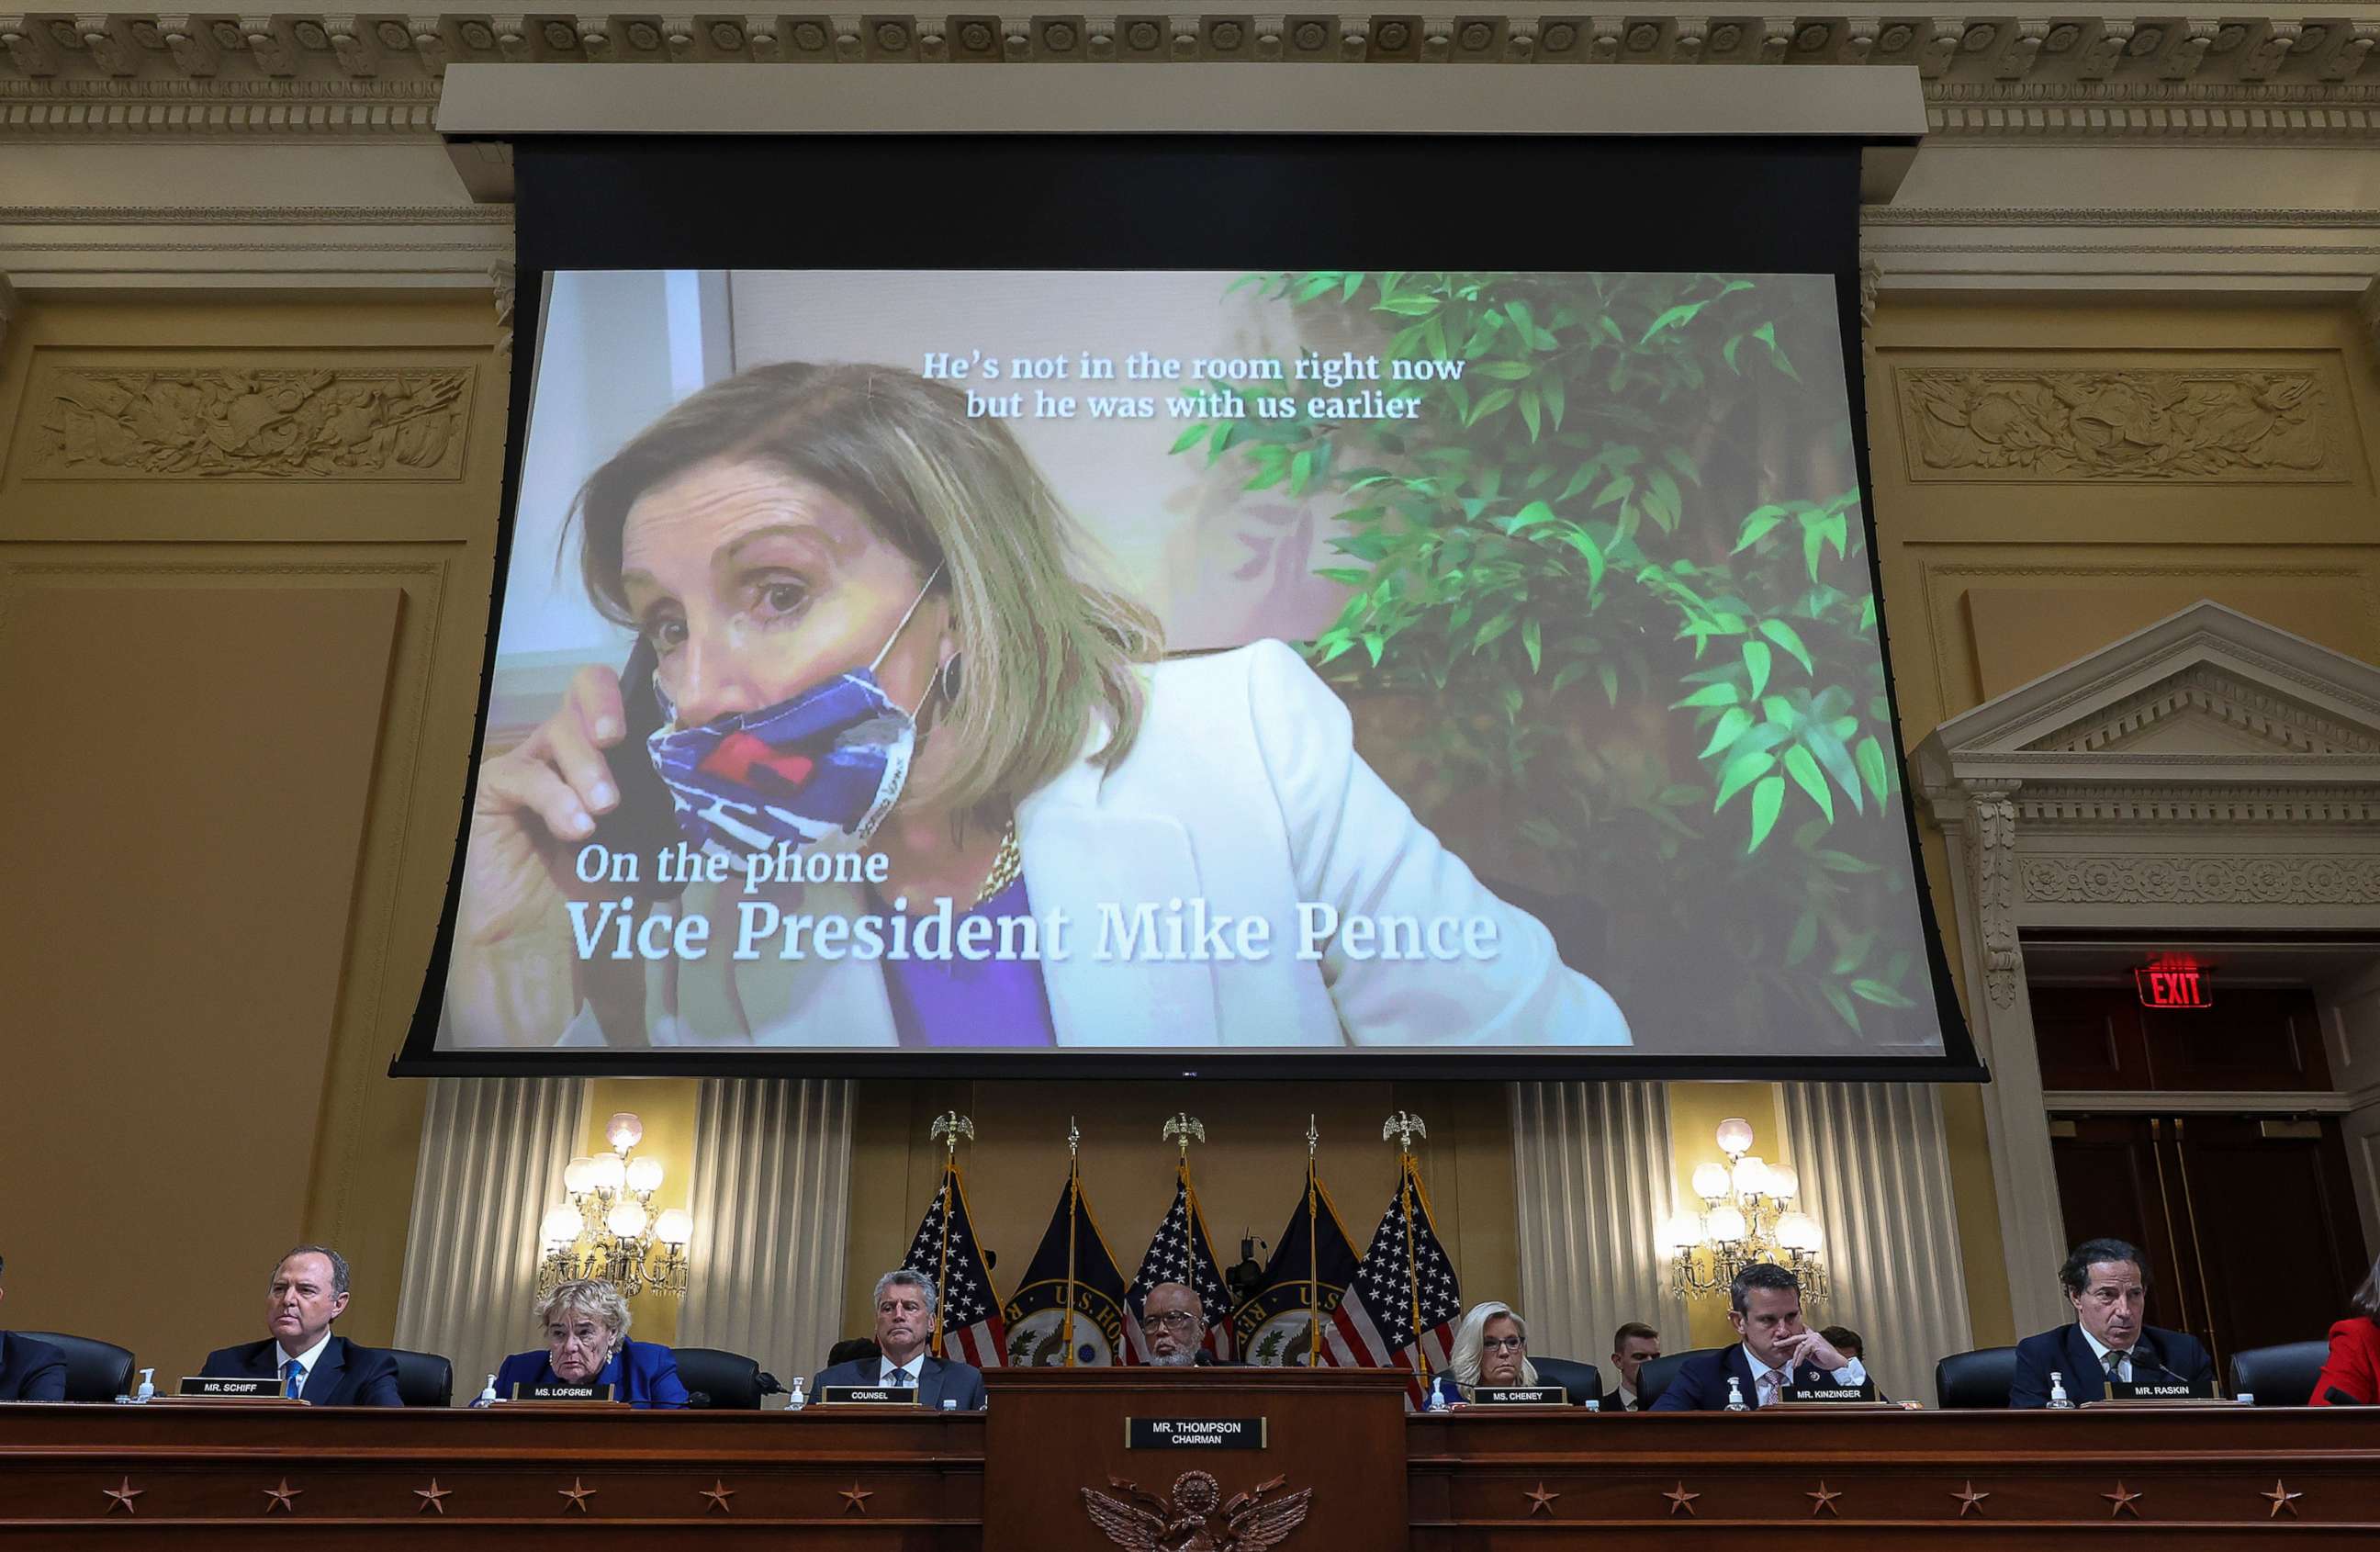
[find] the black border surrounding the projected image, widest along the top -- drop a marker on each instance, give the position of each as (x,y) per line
(1765,206)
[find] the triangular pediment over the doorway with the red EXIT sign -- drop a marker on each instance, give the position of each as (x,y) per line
(2200,699)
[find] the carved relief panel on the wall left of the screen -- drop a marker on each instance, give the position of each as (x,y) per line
(244,423)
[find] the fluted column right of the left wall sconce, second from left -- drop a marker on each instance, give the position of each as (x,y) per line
(770,1206)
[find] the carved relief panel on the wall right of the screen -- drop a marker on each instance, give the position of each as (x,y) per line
(2069,420)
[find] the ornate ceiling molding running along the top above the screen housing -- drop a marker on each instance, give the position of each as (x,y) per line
(2015,75)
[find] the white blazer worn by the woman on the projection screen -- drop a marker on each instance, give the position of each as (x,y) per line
(1244,791)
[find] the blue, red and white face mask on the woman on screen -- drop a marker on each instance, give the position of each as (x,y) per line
(818,770)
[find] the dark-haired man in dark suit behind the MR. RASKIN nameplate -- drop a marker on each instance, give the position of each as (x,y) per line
(2110,1339)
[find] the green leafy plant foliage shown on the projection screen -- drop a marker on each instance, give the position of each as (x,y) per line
(1620,561)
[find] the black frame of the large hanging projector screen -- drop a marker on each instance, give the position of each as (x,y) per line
(1808,173)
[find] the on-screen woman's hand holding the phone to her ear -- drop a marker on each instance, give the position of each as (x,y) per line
(534,811)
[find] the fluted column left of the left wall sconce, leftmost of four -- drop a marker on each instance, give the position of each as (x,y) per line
(491,1165)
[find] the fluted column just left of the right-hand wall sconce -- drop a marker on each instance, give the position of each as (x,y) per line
(1591,1187)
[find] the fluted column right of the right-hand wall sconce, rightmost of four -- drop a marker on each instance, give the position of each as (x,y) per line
(1877,1177)
